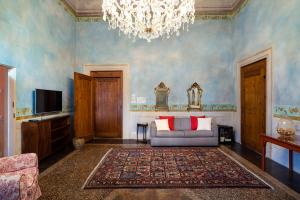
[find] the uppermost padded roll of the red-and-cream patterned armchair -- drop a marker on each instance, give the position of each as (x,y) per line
(18,162)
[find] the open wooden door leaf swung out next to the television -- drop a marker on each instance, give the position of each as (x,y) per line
(83,118)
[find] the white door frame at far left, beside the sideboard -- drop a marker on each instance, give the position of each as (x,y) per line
(11,140)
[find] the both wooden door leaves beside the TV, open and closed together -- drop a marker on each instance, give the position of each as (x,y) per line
(99,110)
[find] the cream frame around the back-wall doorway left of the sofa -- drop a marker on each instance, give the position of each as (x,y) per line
(87,68)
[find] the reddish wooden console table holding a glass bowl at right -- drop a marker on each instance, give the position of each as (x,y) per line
(291,145)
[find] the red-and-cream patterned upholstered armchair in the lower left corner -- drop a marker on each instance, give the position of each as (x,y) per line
(19,177)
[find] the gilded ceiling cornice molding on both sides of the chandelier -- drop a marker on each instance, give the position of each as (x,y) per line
(202,13)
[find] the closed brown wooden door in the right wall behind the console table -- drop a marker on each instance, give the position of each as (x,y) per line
(253,104)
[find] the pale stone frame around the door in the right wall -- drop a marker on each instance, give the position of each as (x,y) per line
(265,54)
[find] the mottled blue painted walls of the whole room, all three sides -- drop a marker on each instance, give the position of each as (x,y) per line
(44,42)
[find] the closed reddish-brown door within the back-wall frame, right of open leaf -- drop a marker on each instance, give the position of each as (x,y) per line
(108,101)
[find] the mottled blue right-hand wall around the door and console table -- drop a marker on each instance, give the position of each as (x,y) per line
(276,24)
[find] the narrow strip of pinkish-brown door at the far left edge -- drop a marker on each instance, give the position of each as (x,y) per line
(3,106)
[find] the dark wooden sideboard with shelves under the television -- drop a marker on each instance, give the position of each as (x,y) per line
(45,137)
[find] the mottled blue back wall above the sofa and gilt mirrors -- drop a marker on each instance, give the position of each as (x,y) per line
(204,54)
